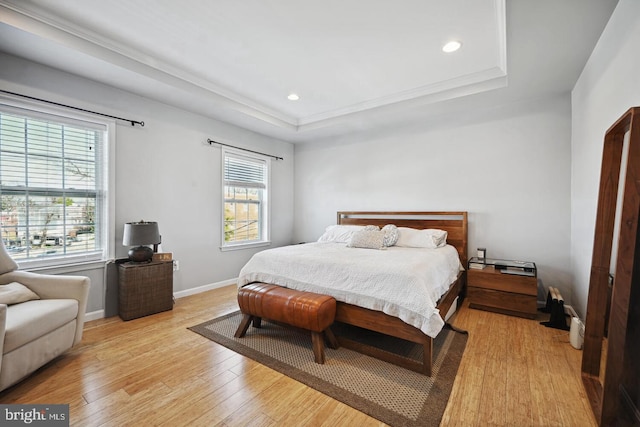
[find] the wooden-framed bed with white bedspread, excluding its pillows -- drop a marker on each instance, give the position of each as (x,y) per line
(272,266)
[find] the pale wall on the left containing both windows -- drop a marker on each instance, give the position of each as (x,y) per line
(166,173)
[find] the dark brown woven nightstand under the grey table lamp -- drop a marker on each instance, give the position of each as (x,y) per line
(144,288)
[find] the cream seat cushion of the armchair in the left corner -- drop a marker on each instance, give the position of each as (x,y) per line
(32,319)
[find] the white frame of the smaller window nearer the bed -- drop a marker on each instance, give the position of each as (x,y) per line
(265,214)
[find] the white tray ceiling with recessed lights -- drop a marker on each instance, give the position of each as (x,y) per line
(354,63)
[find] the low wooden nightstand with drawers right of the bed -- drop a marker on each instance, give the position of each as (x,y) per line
(503,286)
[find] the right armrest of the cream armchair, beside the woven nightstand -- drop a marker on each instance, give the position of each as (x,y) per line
(50,286)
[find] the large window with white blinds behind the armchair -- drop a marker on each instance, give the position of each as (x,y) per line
(52,187)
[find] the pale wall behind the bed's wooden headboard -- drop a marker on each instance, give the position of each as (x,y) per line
(508,166)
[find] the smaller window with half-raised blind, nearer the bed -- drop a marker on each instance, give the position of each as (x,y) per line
(245,181)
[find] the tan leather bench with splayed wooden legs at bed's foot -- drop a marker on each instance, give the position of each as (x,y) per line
(305,310)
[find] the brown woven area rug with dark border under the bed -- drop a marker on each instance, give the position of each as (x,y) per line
(393,395)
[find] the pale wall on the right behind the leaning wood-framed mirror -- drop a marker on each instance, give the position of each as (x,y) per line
(608,86)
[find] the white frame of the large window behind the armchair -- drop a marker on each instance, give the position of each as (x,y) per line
(105,180)
